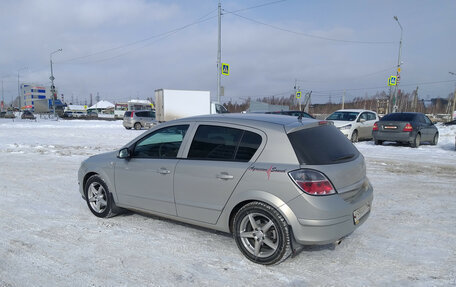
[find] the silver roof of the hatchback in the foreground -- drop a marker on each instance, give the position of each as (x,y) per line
(256,120)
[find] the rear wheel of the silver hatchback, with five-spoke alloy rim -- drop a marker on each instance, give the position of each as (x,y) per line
(261,233)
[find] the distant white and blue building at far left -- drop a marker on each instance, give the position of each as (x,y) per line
(37,98)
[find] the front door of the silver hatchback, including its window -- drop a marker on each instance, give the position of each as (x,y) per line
(145,180)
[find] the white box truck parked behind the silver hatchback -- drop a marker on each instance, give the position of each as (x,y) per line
(176,104)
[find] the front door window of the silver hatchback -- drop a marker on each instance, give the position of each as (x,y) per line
(163,143)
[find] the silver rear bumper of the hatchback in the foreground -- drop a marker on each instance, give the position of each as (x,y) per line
(324,231)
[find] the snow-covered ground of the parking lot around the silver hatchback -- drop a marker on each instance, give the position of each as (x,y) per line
(48,237)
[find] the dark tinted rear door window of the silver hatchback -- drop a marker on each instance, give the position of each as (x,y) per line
(223,143)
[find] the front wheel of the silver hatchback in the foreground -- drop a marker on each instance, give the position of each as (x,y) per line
(98,198)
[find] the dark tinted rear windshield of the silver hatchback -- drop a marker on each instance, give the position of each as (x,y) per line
(320,145)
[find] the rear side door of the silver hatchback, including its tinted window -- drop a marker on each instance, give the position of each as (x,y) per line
(217,159)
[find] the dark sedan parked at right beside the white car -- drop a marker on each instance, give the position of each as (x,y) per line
(412,128)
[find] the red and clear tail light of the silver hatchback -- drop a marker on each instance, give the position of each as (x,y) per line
(312,182)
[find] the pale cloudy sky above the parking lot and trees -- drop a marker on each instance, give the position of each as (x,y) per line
(127,49)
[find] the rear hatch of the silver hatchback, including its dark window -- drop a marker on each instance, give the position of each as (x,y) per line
(322,147)
